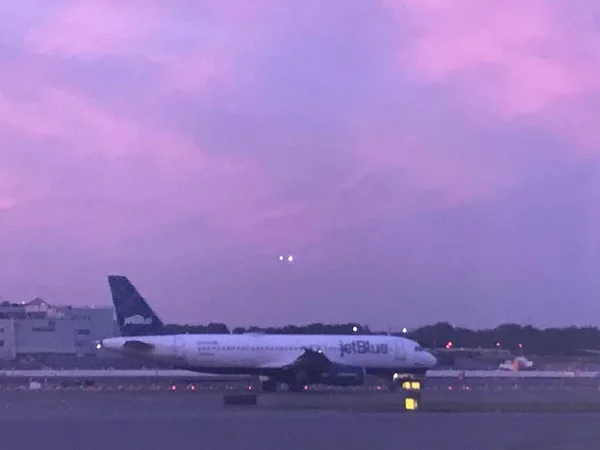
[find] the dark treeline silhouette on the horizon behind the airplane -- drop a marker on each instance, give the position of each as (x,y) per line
(517,338)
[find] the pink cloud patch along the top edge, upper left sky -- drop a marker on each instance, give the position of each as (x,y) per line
(89,31)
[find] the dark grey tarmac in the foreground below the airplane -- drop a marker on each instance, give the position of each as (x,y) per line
(192,420)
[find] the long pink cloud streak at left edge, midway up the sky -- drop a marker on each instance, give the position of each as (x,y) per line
(106,156)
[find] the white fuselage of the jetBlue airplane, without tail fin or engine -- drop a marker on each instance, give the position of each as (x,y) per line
(245,352)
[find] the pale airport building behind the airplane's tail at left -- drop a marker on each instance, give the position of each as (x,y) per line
(38,329)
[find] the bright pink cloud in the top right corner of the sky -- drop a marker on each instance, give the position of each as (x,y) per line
(520,58)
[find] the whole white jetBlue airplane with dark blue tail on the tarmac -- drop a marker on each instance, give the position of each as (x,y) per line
(294,360)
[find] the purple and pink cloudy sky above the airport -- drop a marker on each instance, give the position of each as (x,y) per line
(424,160)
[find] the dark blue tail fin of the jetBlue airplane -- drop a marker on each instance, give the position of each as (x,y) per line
(134,316)
